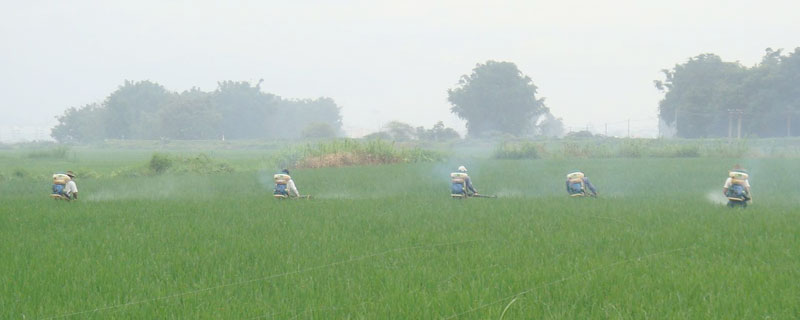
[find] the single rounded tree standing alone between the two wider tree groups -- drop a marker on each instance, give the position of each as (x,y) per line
(496,97)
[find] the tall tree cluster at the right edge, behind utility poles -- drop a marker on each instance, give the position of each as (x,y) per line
(700,93)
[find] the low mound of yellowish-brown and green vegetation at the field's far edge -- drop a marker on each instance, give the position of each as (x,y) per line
(348,152)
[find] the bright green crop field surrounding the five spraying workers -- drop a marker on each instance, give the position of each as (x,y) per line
(388,242)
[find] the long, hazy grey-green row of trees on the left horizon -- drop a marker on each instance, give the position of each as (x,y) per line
(235,110)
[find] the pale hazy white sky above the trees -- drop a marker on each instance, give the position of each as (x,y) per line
(593,61)
